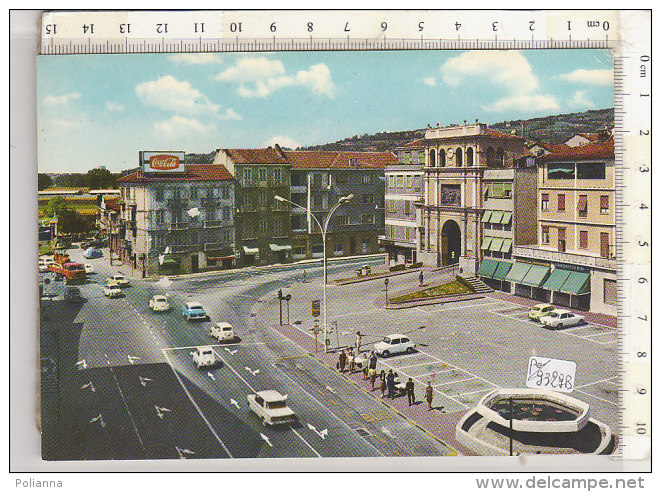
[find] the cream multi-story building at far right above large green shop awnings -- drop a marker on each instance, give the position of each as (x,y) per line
(573,262)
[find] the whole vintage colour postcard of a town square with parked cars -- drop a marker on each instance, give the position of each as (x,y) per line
(329,254)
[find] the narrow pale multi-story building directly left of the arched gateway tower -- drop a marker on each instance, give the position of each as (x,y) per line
(404,188)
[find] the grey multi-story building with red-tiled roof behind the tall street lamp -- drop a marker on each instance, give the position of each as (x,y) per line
(318,180)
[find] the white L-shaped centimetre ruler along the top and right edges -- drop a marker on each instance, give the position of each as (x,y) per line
(626,33)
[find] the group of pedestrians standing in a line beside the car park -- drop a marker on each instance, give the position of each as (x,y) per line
(388,382)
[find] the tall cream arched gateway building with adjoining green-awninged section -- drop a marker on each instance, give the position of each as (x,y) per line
(460,162)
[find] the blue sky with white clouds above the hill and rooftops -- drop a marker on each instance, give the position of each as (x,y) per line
(102,109)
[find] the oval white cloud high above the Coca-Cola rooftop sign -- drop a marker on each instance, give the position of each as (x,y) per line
(170,94)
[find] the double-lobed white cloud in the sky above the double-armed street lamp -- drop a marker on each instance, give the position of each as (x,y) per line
(259,77)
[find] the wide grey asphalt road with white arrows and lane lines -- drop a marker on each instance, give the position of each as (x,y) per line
(119,381)
